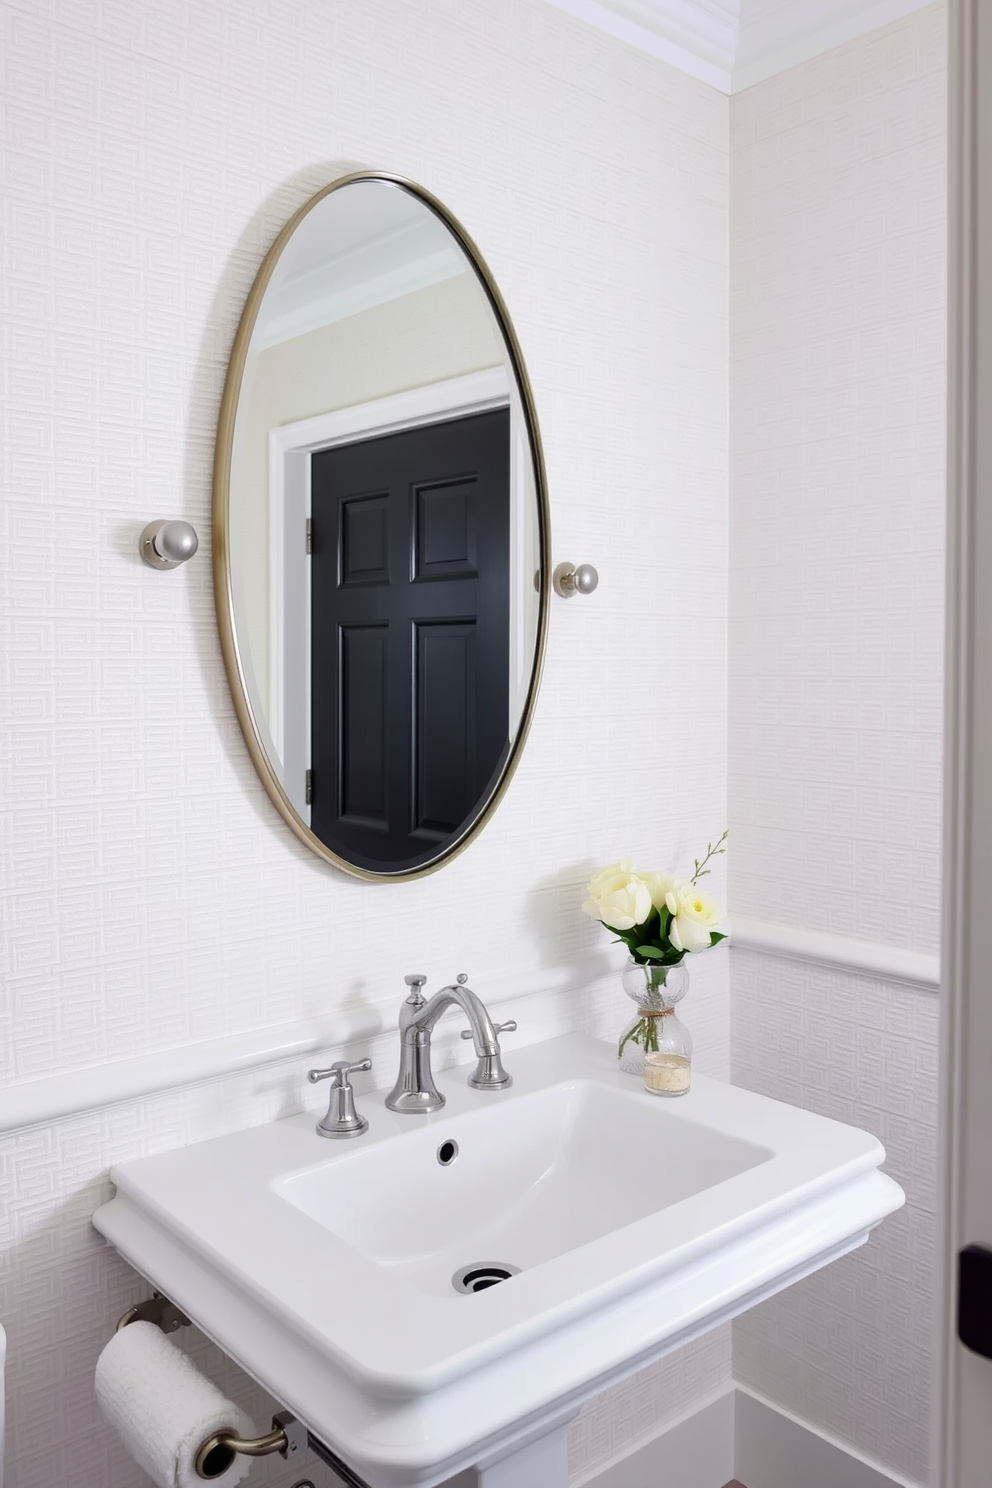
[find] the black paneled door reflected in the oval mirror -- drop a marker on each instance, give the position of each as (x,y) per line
(410,647)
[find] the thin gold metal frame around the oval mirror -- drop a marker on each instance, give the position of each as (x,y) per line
(224,594)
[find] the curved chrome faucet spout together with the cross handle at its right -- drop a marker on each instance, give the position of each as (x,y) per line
(416,1090)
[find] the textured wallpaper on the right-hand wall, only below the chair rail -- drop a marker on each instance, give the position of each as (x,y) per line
(848,1347)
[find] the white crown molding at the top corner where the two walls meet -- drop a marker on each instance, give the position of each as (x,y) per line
(734,44)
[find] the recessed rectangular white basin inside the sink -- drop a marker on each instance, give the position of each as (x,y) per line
(532,1181)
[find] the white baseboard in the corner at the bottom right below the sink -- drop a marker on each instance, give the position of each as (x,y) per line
(737,1435)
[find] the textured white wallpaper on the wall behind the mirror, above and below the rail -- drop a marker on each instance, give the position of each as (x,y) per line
(149,895)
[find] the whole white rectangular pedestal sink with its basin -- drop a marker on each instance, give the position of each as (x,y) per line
(630,1224)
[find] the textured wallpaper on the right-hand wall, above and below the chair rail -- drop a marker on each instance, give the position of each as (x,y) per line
(837,639)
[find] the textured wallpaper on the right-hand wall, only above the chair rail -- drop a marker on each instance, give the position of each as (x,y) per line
(838,478)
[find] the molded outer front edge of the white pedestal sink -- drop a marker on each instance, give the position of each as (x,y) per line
(407,1431)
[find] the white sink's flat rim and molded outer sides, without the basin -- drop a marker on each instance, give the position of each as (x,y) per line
(404,1383)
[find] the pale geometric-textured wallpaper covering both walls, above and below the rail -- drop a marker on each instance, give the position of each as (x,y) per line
(151,898)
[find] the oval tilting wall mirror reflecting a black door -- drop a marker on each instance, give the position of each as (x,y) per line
(381,533)
